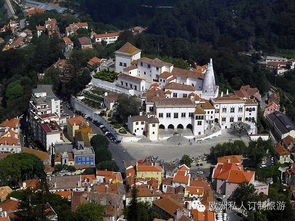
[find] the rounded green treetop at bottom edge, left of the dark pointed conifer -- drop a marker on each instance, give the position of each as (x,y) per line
(89,212)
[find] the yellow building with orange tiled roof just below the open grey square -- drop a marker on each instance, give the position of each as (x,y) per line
(147,171)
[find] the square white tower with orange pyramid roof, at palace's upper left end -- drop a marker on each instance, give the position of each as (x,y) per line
(125,56)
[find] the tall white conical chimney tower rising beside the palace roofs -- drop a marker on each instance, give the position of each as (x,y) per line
(210,89)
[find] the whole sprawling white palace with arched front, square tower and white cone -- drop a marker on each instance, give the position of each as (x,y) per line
(176,98)
